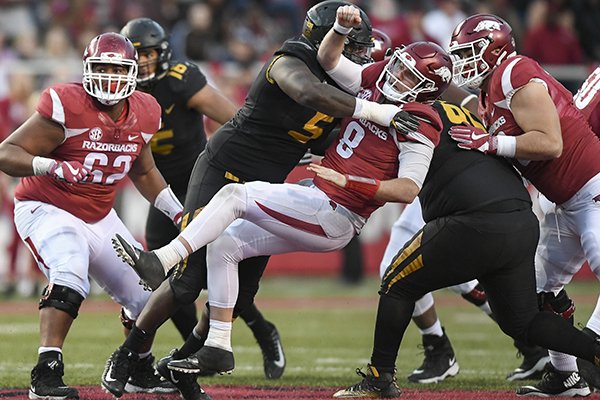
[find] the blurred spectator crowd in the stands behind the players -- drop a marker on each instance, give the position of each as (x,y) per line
(41,43)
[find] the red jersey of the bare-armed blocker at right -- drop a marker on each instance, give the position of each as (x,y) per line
(560,178)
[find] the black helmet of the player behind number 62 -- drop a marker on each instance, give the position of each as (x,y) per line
(146,34)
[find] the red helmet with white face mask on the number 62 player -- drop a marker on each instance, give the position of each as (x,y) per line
(114,49)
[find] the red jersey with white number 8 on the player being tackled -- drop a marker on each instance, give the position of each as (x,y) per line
(364,148)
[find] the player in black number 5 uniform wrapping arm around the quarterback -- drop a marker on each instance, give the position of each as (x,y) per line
(291,106)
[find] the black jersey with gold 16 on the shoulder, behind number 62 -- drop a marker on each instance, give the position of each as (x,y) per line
(181,137)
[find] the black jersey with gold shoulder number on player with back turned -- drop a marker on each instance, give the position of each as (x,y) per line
(485,180)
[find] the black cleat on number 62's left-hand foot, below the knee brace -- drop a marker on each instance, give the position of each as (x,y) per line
(47,383)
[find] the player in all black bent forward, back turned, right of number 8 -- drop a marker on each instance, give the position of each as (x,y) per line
(494,218)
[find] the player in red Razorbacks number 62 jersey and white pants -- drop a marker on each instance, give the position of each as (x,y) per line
(72,152)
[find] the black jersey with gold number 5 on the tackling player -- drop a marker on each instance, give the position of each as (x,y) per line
(271,132)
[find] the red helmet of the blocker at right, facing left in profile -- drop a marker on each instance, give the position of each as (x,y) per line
(479,44)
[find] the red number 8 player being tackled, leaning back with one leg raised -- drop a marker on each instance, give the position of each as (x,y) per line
(281,218)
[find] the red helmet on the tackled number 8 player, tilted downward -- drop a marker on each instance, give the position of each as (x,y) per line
(421,71)
